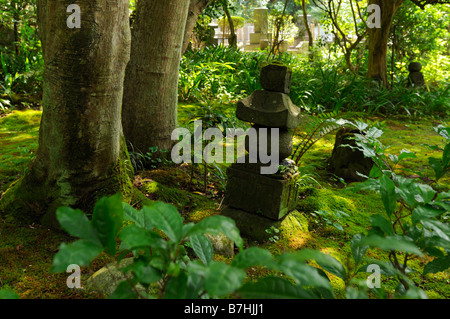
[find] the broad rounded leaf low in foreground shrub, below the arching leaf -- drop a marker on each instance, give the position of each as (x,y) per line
(222,279)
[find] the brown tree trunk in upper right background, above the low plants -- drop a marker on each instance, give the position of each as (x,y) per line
(378,41)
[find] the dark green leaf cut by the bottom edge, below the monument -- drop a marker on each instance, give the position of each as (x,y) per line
(274,288)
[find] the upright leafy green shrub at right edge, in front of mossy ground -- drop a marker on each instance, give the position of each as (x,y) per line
(411,225)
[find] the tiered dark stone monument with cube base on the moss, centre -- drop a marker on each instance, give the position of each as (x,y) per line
(256,201)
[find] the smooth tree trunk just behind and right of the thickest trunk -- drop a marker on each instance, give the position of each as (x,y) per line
(149,113)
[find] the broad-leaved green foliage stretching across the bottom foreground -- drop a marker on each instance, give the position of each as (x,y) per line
(172,259)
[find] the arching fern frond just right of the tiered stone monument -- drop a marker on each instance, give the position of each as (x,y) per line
(312,129)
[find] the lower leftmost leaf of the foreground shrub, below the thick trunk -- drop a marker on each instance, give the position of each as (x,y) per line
(80,252)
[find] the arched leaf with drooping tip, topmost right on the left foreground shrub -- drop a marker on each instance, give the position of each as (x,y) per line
(218,224)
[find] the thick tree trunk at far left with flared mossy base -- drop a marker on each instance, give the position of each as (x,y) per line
(81,154)
